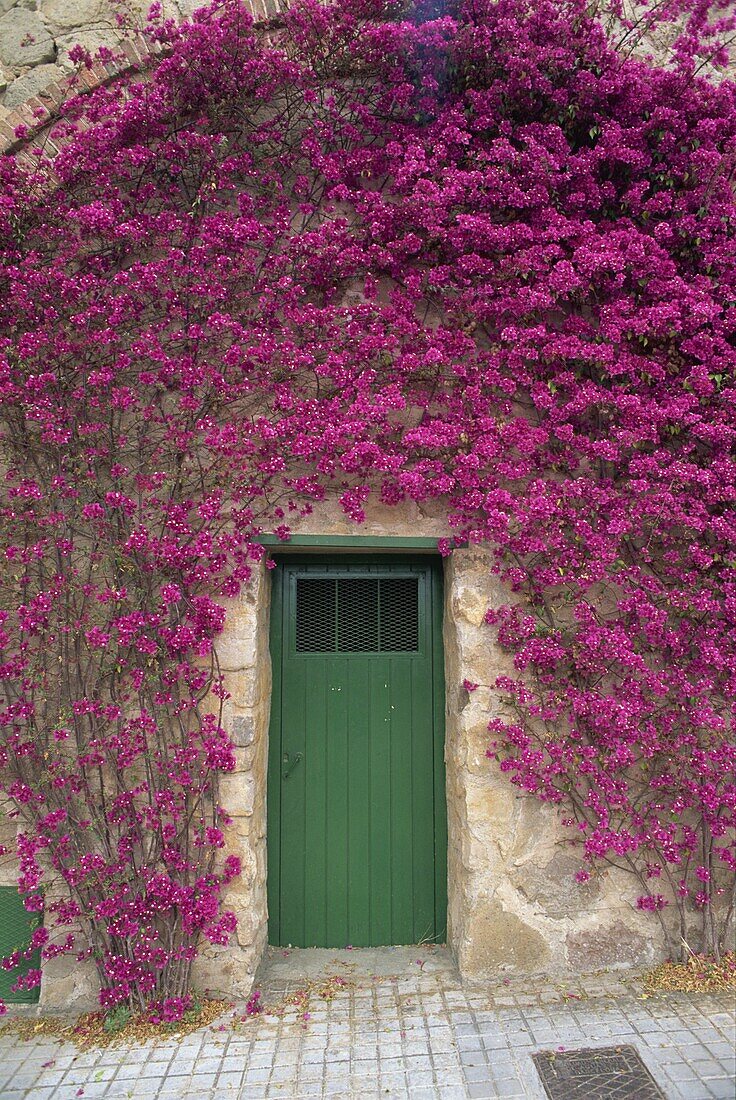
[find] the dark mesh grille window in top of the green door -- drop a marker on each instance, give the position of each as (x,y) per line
(357,615)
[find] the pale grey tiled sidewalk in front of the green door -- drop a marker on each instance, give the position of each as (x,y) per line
(392,1024)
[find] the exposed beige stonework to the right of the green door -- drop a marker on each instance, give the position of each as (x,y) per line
(513,901)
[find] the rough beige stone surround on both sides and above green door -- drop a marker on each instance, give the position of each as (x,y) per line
(513,904)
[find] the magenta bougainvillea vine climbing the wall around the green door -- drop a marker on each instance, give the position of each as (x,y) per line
(473,255)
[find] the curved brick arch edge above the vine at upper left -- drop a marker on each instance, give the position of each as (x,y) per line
(31,124)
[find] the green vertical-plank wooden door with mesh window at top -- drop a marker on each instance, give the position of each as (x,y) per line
(357,806)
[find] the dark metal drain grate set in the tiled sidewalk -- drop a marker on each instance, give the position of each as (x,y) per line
(610,1073)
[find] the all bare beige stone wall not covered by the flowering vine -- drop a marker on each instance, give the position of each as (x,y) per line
(514,905)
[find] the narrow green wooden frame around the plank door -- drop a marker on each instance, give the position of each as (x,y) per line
(329,549)
